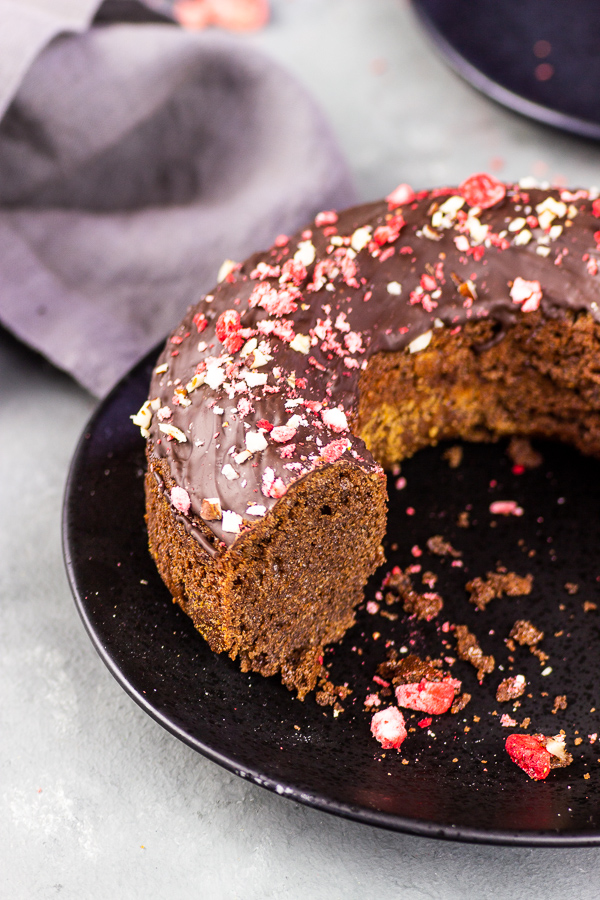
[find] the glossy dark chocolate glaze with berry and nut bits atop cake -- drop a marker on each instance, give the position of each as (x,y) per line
(259,384)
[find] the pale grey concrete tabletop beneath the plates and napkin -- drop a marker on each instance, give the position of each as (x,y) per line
(96,800)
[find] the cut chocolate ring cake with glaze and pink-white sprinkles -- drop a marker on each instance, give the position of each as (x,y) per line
(278,402)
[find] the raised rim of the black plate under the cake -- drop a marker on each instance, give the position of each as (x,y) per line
(315,800)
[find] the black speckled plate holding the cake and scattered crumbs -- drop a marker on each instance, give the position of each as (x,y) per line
(458,782)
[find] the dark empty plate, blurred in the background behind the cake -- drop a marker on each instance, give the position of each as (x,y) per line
(539,59)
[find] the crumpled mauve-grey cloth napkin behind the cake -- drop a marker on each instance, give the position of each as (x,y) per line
(133,160)
